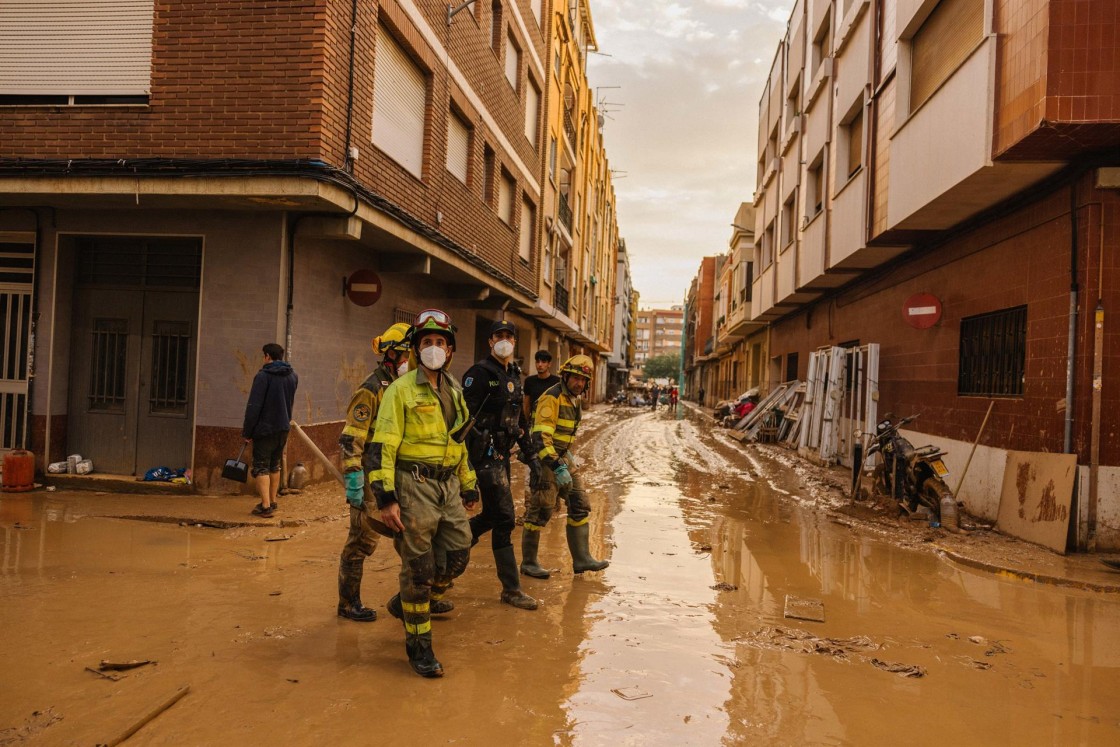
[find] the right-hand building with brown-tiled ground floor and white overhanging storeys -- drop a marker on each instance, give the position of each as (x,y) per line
(941,179)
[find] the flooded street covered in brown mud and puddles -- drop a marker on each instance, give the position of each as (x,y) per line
(683,641)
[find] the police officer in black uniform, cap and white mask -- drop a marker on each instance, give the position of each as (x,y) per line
(493,391)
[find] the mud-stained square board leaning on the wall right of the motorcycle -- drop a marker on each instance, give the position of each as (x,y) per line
(1034,505)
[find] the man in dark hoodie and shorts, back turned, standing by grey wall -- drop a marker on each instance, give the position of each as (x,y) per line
(268,418)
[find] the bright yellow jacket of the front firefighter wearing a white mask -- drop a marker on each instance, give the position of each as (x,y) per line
(412,428)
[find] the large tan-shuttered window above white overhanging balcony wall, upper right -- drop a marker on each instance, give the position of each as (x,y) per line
(941,45)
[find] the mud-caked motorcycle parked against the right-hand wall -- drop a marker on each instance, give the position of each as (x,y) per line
(913,478)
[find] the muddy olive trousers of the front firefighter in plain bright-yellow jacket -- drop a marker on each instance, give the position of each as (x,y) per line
(436,544)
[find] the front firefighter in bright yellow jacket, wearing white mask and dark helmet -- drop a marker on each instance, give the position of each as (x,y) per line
(423,481)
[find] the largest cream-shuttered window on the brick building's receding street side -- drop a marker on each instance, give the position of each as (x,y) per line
(400,98)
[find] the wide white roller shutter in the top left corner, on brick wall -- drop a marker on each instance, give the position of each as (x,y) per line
(49,48)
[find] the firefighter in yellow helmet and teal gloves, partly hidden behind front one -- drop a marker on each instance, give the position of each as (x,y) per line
(358,435)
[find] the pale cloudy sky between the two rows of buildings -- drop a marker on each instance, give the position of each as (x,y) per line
(684,144)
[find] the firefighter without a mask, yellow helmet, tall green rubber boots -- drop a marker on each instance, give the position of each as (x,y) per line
(555,426)
